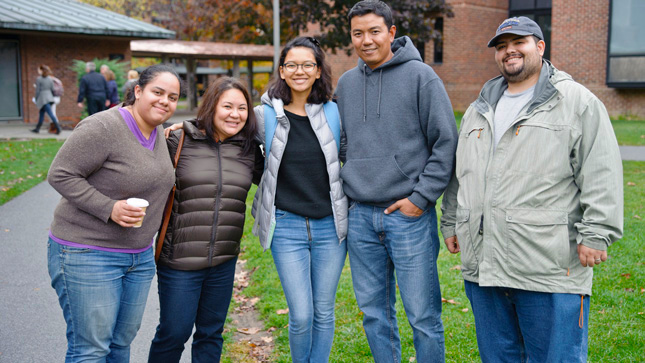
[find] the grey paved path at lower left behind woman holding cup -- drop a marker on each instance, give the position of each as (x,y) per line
(32,328)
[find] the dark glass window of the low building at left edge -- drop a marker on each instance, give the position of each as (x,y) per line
(10,99)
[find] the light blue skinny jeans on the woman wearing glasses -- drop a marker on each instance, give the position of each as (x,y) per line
(309,260)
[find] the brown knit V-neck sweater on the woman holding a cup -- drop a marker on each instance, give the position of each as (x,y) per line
(101,163)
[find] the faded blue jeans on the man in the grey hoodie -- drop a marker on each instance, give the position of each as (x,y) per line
(380,245)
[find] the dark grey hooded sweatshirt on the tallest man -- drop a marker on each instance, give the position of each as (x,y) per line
(399,134)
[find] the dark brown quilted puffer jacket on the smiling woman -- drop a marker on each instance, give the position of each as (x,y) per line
(212,181)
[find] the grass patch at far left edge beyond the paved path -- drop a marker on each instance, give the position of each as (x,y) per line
(24,164)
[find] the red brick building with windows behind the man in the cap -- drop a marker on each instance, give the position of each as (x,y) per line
(601,43)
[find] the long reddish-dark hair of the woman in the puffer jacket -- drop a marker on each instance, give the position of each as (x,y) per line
(208,109)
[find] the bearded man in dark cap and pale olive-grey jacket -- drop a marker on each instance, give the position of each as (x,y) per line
(535,201)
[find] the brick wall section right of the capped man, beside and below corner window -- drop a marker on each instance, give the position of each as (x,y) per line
(579,47)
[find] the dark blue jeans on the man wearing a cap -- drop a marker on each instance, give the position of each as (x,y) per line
(527,326)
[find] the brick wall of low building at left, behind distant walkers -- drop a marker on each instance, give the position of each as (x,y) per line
(58,52)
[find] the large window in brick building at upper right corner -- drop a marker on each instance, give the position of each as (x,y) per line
(626,46)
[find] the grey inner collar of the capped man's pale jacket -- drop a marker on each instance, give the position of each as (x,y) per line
(493,90)
